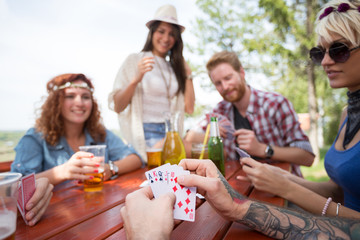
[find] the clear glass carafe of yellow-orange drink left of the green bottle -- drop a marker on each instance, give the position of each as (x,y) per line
(173,149)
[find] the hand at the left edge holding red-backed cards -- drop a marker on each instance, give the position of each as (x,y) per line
(38,203)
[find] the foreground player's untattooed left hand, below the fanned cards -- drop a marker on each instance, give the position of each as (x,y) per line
(148,218)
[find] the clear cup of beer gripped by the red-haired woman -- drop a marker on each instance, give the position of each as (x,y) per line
(95,184)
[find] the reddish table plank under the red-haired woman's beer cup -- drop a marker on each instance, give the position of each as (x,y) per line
(73,206)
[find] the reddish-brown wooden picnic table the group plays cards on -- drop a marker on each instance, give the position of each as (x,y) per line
(75,214)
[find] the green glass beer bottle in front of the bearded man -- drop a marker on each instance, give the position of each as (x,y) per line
(215,146)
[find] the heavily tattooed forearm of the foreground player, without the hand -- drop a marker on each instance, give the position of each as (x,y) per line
(284,223)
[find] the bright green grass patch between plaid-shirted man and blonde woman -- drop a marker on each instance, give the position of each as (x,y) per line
(316,173)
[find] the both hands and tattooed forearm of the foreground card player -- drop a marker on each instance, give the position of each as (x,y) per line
(141,212)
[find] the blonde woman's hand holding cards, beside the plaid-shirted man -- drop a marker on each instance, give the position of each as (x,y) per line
(265,177)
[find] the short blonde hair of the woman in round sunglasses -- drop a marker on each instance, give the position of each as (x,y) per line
(344,23)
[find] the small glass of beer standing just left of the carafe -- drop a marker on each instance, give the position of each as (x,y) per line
(153,152)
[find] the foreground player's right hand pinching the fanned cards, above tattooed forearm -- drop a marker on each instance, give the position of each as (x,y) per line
(212,185)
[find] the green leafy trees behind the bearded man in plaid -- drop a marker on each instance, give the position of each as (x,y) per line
(272,37)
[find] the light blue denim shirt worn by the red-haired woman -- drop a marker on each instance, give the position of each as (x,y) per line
(34,154)
